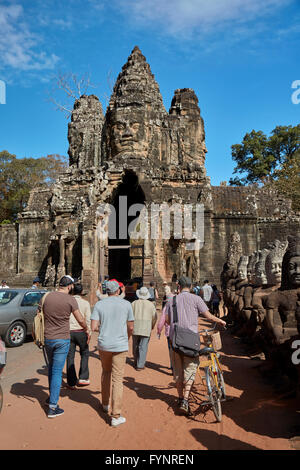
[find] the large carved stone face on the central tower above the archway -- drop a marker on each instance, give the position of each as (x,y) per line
(128,133)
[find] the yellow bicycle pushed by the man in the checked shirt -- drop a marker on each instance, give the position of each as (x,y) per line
(213,374)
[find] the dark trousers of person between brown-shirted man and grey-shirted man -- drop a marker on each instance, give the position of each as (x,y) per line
(78,338)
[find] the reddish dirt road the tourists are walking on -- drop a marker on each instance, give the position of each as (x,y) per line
(254,418)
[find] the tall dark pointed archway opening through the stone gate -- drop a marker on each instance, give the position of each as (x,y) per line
(128,193)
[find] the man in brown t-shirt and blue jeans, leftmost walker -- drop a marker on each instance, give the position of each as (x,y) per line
(57,308)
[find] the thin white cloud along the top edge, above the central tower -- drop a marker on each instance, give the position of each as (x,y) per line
(188,16)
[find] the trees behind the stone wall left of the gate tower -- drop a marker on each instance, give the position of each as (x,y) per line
(19,175)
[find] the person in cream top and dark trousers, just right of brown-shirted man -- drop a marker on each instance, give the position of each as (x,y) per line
(78,337)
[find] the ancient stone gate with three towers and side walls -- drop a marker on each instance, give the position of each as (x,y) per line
(140,151)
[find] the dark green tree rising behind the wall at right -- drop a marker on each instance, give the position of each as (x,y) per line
(272,161)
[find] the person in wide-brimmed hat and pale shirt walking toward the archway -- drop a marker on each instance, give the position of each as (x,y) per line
(144,321)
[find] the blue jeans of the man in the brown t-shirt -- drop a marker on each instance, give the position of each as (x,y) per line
(57,351)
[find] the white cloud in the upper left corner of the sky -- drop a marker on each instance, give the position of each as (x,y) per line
(20,47)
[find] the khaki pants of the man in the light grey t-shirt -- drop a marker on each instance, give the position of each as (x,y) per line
(113,365)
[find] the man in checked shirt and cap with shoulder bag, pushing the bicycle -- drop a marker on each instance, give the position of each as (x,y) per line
(189,307)
